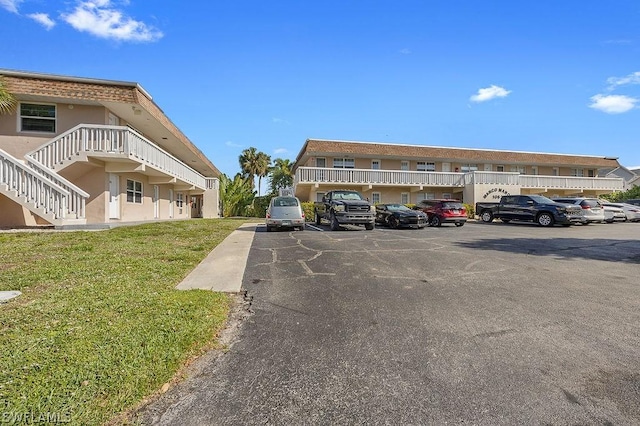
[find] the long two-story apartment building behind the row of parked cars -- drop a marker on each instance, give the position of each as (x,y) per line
(386,172)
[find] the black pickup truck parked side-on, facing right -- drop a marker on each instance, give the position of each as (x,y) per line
(529,208)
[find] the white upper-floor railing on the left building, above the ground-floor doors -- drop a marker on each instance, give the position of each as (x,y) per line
(88,139)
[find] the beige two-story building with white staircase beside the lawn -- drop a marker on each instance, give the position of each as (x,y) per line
(88,151)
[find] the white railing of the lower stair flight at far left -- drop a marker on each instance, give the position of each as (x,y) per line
(32,190)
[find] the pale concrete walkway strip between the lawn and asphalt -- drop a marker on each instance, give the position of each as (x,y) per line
(223,269)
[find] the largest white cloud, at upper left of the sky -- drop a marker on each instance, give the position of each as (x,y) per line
(99,18)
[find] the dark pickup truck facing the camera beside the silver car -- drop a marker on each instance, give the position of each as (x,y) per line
(344,207)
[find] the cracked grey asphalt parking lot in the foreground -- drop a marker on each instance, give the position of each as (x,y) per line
(482,324)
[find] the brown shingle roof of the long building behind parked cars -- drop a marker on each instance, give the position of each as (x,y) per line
(320,147)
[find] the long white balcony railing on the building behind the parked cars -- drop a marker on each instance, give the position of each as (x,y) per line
(313,175)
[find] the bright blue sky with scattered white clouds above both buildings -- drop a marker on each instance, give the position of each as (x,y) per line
(550,76)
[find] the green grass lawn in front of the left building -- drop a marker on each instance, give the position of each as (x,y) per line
(99,325)
